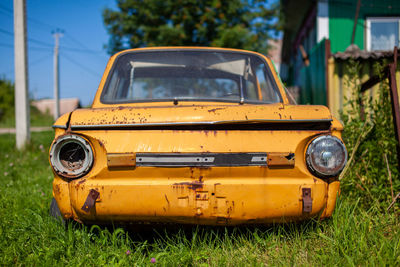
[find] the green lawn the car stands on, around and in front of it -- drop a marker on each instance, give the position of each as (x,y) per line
(29,236)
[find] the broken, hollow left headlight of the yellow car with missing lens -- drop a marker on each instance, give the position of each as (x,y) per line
(71,156)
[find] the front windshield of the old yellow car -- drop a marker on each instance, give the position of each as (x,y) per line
(191,76)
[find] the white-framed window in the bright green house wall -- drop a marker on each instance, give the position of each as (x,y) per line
(382,33)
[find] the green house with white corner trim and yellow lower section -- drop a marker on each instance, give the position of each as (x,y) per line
(321,37)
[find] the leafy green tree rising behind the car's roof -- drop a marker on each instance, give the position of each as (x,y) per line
(221,23)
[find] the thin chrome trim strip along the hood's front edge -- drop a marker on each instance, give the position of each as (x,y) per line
(190,123)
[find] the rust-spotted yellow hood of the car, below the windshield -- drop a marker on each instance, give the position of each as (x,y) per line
(198,114)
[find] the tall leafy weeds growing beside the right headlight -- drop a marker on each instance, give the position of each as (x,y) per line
(375,159)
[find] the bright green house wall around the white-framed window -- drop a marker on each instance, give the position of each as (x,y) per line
(341,20)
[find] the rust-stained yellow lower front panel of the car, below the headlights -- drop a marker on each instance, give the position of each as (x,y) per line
(204,200)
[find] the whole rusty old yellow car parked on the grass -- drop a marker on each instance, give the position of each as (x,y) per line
(195,135)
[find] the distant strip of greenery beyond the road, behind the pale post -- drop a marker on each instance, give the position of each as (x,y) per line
(36,118)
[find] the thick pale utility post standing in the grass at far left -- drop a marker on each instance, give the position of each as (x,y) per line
(21,75)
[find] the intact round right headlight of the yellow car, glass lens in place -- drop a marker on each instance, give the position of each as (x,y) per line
(326,156)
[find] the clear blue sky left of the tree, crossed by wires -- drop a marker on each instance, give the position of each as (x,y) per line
(82,54)
